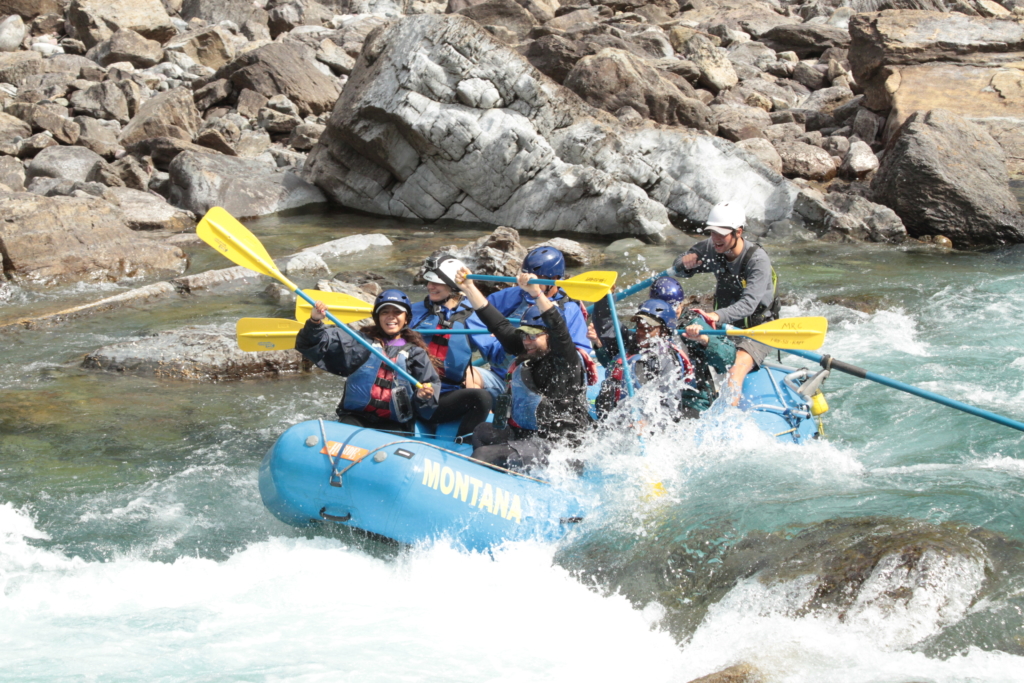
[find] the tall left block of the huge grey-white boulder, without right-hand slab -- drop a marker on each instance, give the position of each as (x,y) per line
(402,143)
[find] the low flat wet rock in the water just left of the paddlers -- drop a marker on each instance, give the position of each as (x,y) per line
(208,354)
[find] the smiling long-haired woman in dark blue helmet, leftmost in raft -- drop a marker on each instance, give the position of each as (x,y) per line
(375,396)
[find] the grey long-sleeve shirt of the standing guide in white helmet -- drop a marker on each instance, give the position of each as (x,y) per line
(738,294)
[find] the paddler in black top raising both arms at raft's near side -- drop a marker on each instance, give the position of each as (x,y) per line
(547,388)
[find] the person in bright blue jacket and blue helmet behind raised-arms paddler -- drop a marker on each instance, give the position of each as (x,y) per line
(546,264)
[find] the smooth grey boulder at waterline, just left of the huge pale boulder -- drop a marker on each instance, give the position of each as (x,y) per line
(246,188)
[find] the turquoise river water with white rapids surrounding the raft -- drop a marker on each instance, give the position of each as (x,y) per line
(134,544)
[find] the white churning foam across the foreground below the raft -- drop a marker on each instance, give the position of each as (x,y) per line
(316,610)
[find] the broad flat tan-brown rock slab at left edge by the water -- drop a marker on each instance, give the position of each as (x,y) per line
(62,240)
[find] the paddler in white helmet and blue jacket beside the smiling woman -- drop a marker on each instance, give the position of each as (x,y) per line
(463,393)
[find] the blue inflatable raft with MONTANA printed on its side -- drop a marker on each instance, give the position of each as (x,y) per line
(415,488)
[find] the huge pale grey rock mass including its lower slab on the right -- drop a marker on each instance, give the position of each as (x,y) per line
(441,121)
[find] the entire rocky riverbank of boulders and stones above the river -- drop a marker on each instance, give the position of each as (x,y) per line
(871,122)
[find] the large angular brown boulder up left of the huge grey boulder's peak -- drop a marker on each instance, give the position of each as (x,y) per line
(284,69)
